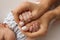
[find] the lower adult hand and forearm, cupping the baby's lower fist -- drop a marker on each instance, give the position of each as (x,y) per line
(43,23)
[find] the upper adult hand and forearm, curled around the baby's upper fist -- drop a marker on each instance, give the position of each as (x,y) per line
(33,8)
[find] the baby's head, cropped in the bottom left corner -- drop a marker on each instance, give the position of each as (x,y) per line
(6,33)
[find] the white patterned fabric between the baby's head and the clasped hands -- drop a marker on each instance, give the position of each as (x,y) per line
(13,26)
